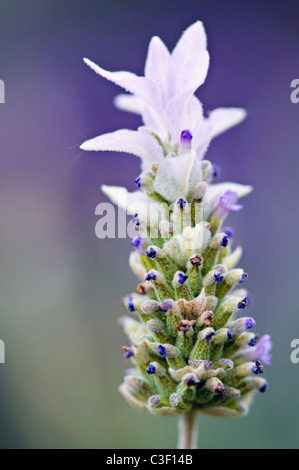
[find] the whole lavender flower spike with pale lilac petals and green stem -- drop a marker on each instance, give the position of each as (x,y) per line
(190,347)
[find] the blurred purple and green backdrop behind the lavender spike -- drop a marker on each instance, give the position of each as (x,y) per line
(60,286)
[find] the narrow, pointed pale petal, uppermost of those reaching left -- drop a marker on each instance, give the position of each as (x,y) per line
(141,86)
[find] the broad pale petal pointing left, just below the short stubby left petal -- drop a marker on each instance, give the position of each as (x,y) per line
(141,144)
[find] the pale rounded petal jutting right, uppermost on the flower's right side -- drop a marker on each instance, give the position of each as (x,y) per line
(223,119)
